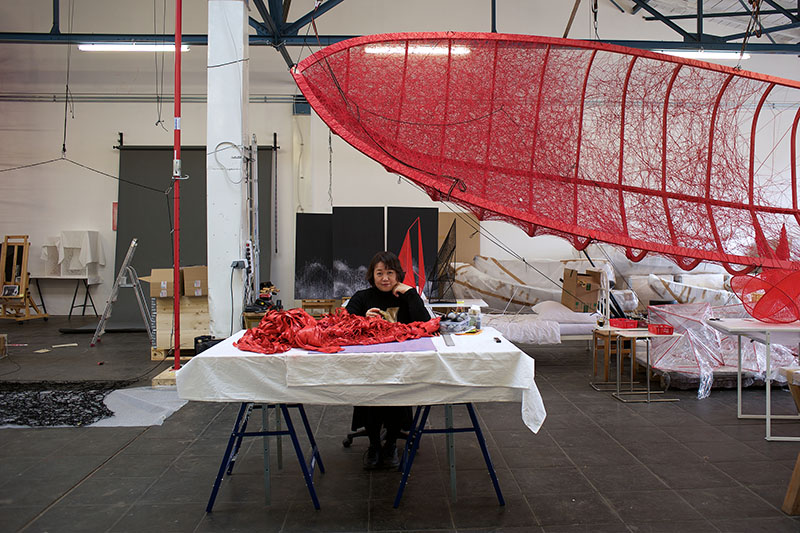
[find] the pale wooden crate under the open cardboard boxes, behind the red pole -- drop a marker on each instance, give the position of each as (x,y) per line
(194,321)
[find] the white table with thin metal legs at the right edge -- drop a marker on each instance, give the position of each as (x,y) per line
(765,334)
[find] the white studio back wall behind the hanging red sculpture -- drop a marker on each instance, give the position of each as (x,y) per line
(41,201)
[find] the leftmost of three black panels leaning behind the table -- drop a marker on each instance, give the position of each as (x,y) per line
(313,260)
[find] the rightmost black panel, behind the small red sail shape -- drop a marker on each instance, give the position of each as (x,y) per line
(398,221)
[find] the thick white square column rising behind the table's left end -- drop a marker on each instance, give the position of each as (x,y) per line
(228,95)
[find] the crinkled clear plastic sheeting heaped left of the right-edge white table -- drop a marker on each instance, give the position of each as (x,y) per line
(701,350)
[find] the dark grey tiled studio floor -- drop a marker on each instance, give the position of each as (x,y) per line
(596,465)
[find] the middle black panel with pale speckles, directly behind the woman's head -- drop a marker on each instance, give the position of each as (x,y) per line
(357,236)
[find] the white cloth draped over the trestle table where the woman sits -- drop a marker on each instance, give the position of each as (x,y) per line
(476,369)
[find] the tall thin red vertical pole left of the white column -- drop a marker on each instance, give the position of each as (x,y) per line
(176,188)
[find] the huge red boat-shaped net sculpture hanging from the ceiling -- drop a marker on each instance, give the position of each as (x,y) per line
(588,141)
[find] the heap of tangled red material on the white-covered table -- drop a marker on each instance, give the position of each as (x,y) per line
(280,331)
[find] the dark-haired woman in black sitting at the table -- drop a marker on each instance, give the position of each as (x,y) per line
(389,299)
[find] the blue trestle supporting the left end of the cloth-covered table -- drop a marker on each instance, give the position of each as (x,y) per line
(239,432)
